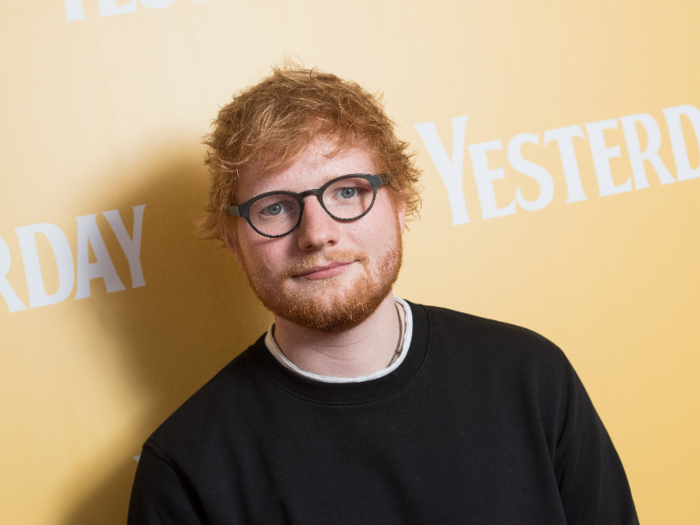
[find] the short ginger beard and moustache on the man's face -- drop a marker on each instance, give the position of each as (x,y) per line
(325,305)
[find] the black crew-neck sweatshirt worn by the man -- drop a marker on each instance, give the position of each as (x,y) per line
(483,423)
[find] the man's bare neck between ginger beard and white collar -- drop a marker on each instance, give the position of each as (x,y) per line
(362,350)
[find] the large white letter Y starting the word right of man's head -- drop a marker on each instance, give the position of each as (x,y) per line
(450,170)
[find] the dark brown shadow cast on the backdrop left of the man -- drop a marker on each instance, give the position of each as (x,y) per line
(194,315)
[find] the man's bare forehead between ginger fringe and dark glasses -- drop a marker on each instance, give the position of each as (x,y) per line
(317,164)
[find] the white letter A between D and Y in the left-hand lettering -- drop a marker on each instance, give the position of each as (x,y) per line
(88,232)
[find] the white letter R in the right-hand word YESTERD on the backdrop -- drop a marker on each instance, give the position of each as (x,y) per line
(651,153)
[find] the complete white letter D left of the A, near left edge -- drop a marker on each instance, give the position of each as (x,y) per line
(32,267)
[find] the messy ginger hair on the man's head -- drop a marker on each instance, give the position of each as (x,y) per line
(269,125)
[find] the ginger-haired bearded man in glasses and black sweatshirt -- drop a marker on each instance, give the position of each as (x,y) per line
(357,407)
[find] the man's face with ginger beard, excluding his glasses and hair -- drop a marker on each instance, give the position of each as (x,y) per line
(326,275)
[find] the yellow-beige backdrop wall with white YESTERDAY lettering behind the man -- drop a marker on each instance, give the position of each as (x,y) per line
(562,178)
